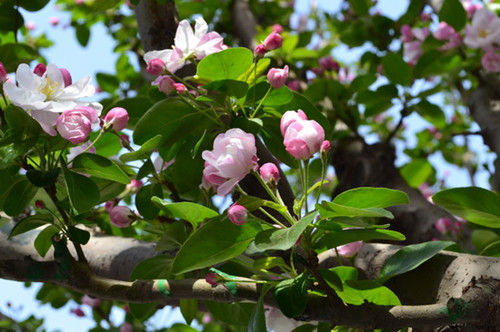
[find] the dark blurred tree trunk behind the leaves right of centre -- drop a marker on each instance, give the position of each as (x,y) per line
(358,164)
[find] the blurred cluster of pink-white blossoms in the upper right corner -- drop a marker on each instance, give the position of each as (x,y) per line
(483,33)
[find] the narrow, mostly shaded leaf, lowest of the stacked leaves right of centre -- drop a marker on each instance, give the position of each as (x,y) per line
(335,239)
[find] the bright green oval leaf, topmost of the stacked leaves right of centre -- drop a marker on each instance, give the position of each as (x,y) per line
(371,197)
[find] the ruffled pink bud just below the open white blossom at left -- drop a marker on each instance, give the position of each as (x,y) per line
(75,125)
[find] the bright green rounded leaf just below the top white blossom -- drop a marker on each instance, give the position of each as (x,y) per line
(225,65)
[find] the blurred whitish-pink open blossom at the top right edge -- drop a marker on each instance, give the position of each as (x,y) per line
(485,30)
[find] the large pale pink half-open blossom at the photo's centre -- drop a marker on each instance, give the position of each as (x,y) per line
(234,155)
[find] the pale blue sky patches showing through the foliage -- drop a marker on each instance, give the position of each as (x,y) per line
(98,56)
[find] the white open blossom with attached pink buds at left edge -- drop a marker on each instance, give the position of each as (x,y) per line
(49,95)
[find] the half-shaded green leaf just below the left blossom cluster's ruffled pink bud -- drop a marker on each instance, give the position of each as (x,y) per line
(99,166)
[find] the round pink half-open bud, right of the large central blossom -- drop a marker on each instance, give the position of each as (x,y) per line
(303,138)
